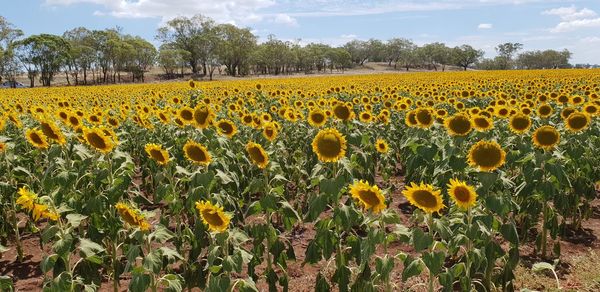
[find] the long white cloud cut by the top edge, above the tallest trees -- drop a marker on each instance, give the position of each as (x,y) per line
(230,11)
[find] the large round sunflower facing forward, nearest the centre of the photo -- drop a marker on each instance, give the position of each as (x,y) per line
(329,145)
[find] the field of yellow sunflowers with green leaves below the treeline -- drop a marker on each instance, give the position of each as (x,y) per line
(428,182)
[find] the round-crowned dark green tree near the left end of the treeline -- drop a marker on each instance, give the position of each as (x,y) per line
(48,53)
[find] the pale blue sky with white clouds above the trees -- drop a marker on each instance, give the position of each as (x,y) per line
(538,24)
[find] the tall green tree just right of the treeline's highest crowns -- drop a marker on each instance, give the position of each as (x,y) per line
(235,48)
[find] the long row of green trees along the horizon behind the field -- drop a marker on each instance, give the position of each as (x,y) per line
(204,47)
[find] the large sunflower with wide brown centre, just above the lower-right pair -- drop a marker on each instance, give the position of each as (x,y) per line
(486,155)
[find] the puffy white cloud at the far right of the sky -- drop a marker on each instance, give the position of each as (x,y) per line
(573,19)
